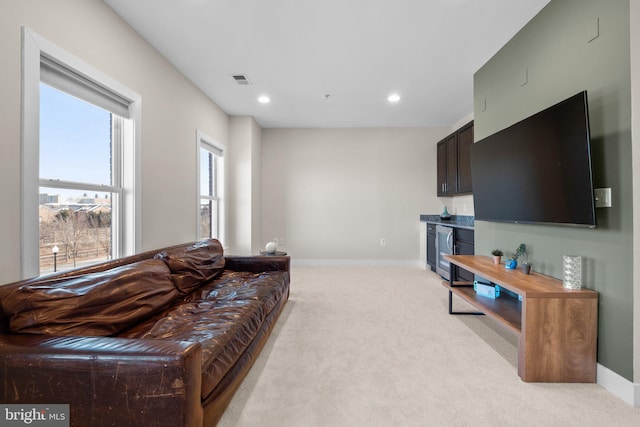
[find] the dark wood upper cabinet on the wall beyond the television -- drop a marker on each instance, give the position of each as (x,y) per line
(454,166)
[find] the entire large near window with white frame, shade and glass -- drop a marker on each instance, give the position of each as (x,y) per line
(79,162)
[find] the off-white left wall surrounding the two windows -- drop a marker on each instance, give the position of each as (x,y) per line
(172,110)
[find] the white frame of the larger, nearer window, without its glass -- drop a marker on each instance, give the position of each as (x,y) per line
(34,49)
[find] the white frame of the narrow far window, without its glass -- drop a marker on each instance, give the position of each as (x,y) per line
(211,145)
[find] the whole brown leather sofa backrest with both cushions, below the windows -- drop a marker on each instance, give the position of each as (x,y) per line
(29,306)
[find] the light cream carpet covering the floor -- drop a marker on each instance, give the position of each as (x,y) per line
(375,346)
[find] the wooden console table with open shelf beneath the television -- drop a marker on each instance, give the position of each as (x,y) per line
(556,327)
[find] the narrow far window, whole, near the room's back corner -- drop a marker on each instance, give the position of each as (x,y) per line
(210,188)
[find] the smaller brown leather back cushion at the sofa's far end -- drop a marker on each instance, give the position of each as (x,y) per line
(194,265)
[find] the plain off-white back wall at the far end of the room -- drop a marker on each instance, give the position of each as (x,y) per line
(332,194)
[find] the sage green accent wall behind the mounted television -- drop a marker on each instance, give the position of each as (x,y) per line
(570,46)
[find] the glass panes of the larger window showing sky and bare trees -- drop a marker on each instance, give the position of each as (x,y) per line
(79,185)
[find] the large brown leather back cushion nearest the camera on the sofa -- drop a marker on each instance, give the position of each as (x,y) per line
(99,304)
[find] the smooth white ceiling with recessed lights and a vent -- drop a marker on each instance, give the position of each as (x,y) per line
(332,63)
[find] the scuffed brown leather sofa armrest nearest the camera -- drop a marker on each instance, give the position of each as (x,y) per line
(106,381)
